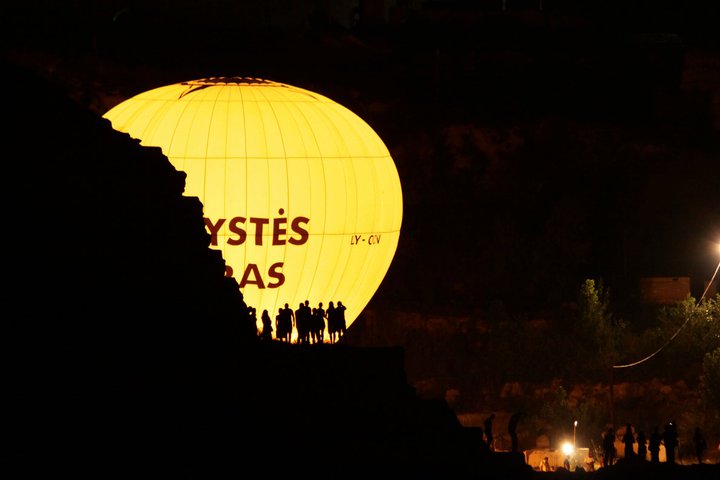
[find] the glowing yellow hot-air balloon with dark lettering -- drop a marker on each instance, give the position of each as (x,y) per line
(299,193)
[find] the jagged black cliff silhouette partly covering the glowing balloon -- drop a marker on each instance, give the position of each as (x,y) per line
(126,347)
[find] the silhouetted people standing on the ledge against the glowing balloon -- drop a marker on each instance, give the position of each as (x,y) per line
(309,323)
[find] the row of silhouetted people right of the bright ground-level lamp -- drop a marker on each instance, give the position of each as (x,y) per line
(668,438)
